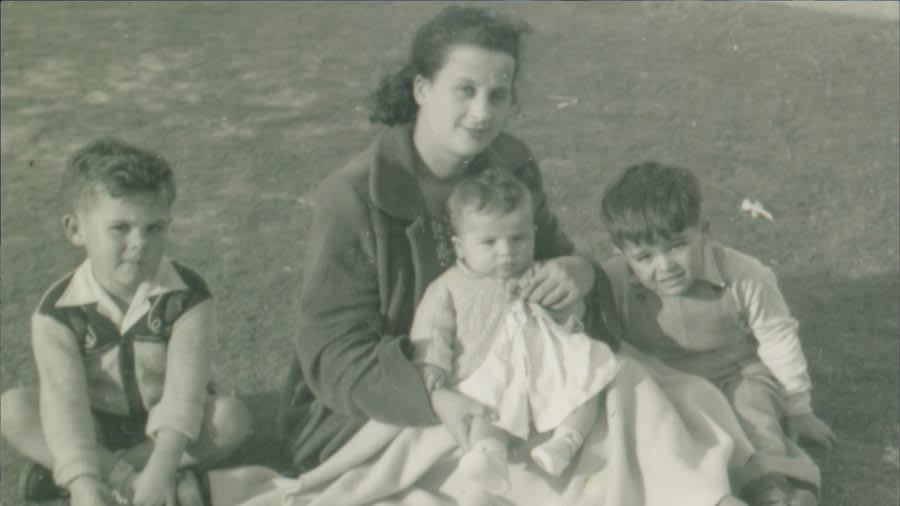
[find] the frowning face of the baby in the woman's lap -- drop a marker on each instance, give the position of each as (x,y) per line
(494,245)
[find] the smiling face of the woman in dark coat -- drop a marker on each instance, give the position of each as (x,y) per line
(464,106)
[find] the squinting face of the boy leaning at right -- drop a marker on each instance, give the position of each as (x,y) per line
(669,267)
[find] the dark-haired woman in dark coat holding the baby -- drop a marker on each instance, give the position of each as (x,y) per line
(380,235)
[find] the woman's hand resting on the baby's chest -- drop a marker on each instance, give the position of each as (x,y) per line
(559,282)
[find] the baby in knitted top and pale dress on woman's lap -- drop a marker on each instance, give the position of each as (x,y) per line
(475,334)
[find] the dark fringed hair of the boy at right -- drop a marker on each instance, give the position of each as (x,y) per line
(650,203)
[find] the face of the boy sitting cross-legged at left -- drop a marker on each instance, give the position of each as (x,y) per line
(124,237)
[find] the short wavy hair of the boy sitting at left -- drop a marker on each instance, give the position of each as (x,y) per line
(121,169)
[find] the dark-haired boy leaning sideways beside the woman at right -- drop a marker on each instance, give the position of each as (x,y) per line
(712,311)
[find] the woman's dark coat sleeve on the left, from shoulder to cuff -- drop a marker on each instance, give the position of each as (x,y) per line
(347,360)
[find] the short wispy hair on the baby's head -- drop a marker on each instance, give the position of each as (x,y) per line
(492,191)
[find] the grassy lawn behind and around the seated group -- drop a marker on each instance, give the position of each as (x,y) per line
(255,104)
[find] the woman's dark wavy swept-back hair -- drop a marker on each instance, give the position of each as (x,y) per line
(393,101)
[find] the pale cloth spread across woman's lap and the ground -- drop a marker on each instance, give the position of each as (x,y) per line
(665,438)
